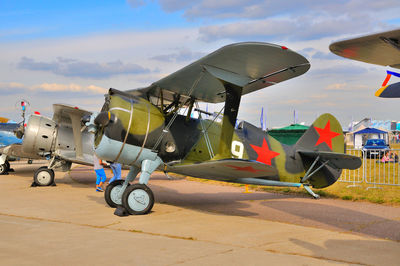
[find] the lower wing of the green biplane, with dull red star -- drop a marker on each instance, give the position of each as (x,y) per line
(226,169)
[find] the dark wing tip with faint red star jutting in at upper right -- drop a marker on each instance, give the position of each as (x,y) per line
(381,48)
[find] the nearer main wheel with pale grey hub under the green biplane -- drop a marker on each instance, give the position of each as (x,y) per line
(138,199)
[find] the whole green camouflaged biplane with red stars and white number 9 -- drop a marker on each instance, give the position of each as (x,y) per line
(144,129)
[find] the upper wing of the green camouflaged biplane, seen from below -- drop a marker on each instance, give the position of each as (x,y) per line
(249,65)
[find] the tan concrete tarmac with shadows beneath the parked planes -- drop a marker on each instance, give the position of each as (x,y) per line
(192,223)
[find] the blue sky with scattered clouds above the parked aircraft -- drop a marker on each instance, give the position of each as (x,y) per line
(72,51)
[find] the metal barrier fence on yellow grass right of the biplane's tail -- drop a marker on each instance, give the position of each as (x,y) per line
(373,171)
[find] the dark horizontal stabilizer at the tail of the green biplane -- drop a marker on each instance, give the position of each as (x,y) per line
(336,160)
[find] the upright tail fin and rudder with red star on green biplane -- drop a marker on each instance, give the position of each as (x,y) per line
(325,136)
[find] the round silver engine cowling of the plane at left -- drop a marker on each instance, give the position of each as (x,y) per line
(40,135)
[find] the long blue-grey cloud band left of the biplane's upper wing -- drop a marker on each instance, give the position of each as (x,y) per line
(76,68)
